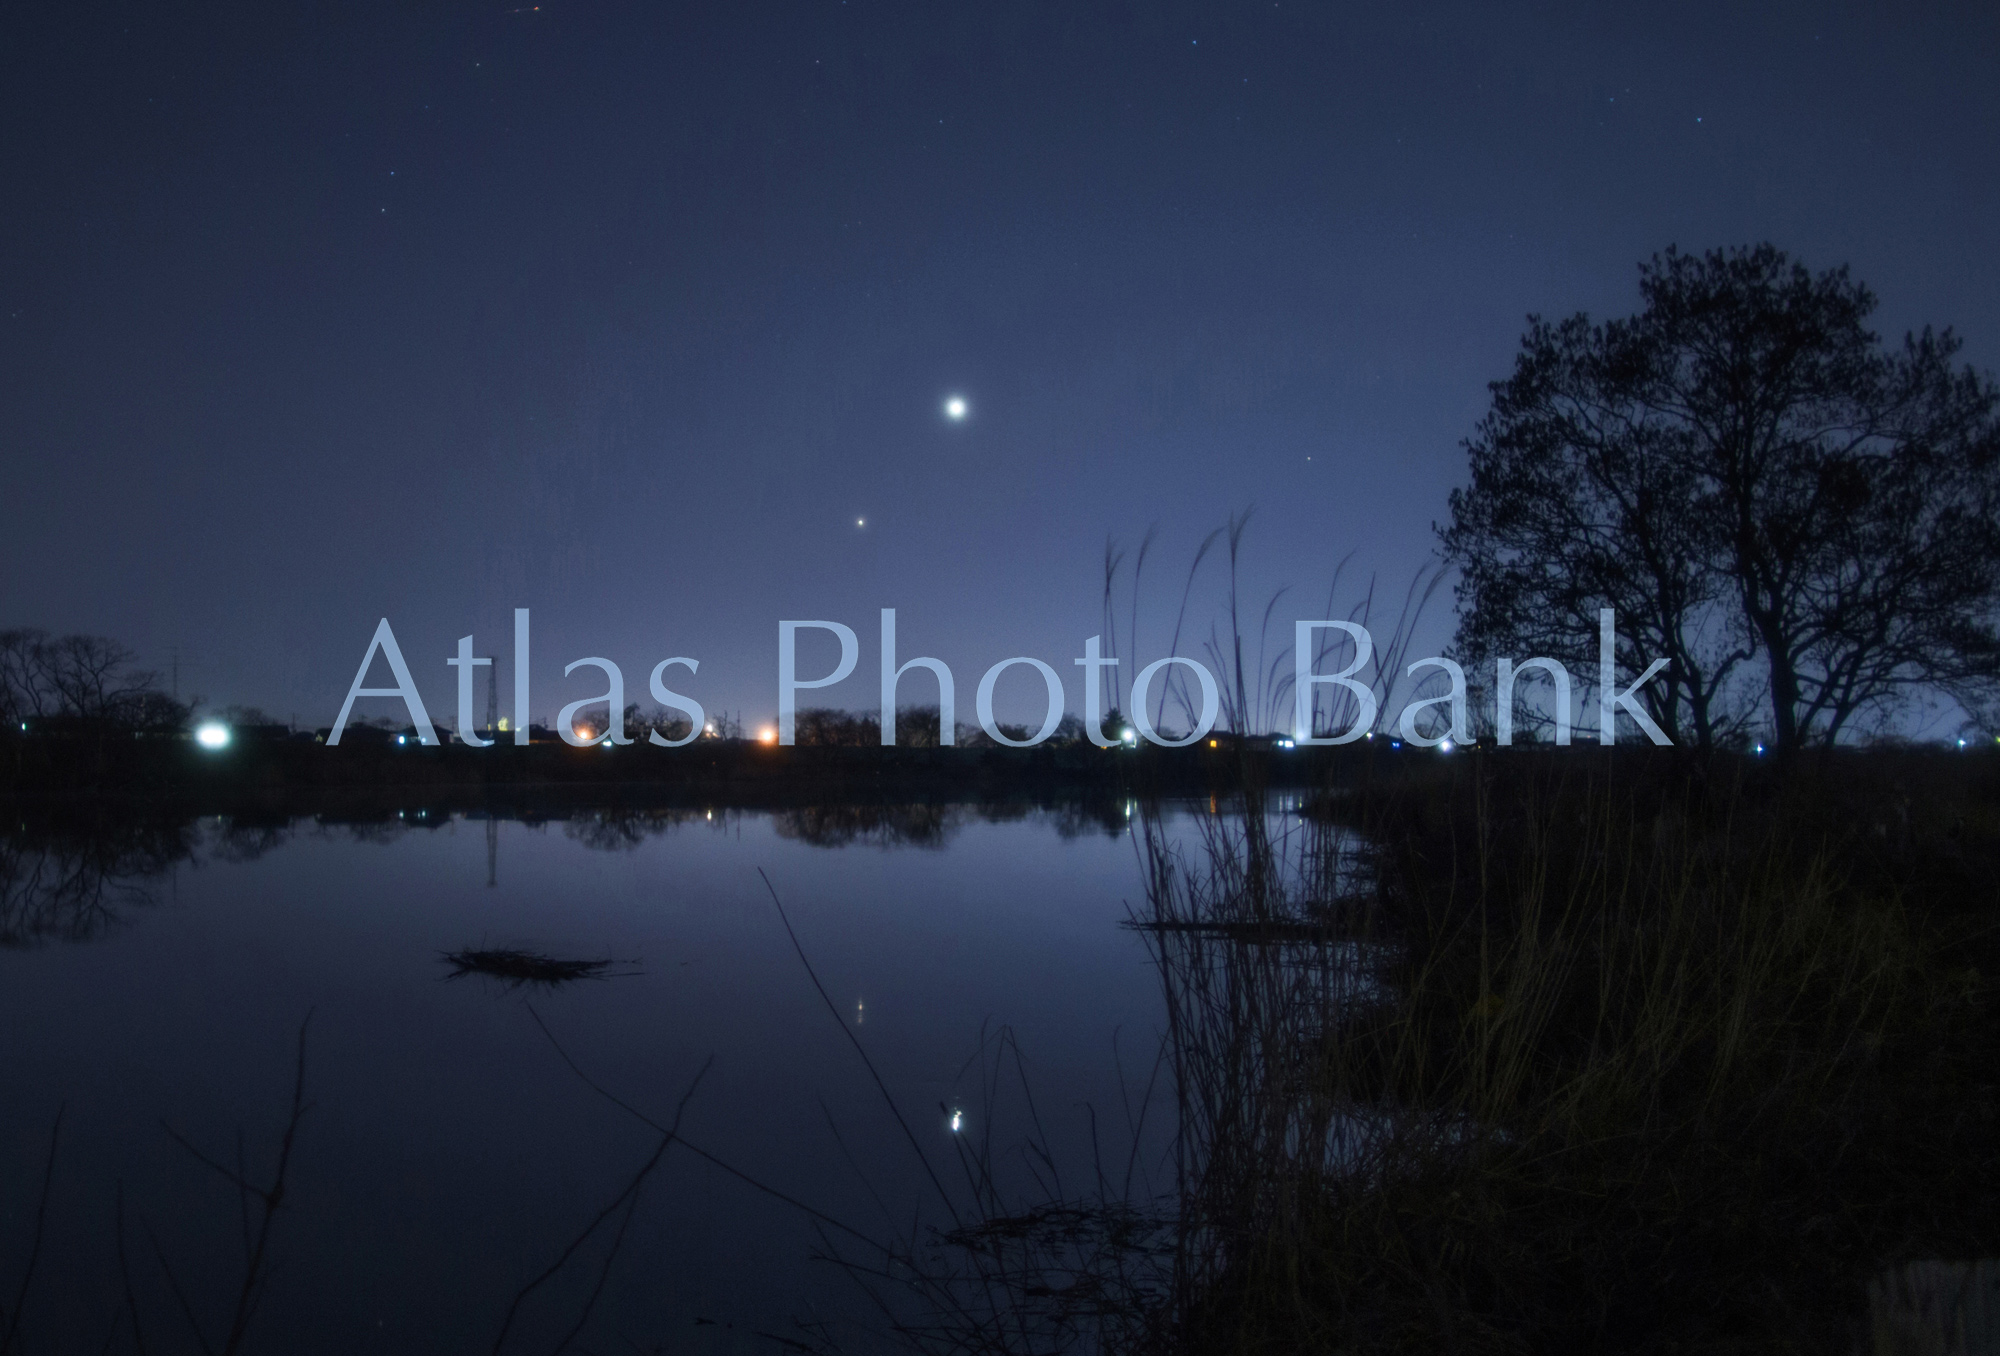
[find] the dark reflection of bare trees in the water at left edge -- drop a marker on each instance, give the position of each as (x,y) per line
(79,887)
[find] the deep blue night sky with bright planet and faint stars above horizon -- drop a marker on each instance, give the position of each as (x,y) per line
(645,317)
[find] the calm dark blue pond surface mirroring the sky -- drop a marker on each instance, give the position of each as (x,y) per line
(451,1155)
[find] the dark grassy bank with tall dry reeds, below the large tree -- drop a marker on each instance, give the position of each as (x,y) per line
(1587,1067)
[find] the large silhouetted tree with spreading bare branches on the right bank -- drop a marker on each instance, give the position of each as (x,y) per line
(1767,495)
